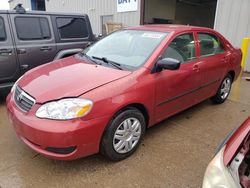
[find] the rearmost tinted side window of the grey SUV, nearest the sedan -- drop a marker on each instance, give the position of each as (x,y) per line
(72,28)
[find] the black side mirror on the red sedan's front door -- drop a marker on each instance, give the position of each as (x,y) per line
(167,63)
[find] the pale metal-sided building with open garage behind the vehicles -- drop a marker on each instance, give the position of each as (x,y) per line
(230,17)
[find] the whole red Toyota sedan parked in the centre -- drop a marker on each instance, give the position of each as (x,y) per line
(104,98)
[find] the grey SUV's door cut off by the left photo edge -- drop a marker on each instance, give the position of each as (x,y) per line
(9,68)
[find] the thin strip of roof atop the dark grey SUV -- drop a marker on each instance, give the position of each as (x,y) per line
(40,13)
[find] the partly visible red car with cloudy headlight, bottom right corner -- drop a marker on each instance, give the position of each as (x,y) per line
(231,165)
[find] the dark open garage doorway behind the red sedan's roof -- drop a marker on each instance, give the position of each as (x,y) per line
(187,12)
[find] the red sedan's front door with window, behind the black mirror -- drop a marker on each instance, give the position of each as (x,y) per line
(178,89)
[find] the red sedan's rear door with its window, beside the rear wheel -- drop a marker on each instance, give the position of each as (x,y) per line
(213,58)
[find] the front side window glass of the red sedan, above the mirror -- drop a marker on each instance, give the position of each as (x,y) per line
(181,48)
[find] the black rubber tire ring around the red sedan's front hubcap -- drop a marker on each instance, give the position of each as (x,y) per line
(107,147)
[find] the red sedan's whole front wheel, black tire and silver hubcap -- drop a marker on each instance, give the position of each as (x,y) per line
(123,135)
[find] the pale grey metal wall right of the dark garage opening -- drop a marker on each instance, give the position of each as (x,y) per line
(233,21)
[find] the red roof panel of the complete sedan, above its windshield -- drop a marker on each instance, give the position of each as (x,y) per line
(169,28)
